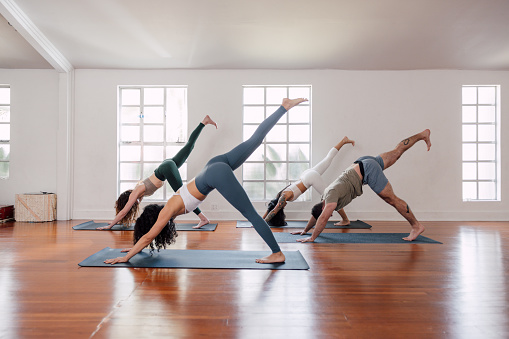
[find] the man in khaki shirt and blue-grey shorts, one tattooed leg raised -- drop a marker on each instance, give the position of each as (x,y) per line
(365,170)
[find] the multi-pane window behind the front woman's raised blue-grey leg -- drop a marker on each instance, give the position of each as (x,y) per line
(285,152)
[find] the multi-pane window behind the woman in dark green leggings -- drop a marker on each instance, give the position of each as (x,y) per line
(145,138)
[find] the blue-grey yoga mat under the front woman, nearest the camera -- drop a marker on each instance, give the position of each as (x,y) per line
(197,259)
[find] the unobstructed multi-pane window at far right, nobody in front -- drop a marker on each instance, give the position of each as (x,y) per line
(480,142)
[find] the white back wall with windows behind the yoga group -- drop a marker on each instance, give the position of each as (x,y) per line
(377,109)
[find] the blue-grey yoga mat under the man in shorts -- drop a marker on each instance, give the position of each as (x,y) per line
(357,238)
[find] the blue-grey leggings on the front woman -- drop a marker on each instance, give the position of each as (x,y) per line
(218,174)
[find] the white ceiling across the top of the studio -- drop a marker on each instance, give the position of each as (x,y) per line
(263,34)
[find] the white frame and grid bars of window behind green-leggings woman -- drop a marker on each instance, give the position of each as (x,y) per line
(182,131)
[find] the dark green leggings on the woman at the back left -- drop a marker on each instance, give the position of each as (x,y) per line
(168,170)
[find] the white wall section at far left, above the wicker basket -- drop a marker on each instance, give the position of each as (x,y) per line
(34,125)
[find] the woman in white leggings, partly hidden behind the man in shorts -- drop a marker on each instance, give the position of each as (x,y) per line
(312,177)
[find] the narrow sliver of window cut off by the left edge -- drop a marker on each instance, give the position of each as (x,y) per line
(5,130)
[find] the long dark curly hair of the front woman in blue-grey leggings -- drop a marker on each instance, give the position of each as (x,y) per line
(144,224)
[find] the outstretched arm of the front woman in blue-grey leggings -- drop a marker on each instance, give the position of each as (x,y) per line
(168,211)
